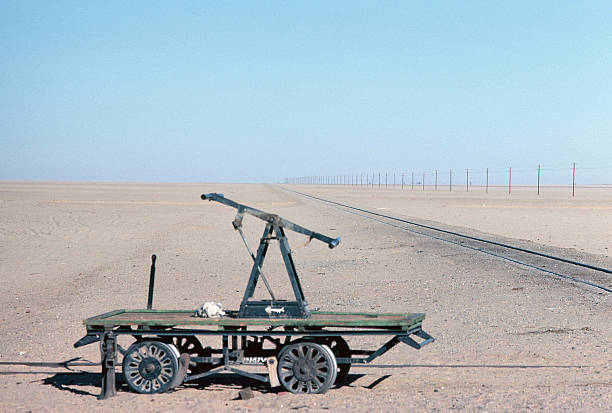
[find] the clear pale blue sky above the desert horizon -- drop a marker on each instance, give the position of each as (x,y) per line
(260,91)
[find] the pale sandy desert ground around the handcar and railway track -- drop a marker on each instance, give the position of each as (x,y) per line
(508,338)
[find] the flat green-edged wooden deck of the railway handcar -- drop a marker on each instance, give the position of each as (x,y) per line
(172,318)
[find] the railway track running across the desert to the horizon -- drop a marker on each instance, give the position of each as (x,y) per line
(571,270)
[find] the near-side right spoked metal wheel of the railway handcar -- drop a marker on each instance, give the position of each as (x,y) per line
(306,367)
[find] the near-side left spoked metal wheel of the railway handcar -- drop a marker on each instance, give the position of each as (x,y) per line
(151,366)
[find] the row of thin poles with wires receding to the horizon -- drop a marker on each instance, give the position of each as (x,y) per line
(450,179)
